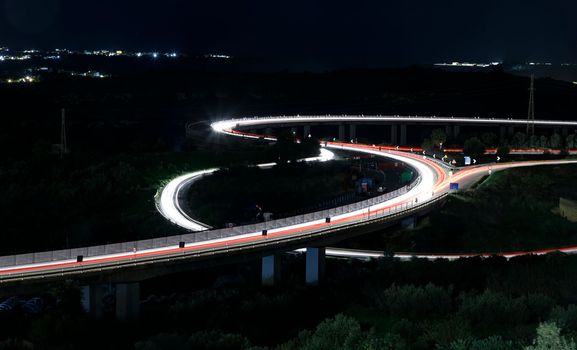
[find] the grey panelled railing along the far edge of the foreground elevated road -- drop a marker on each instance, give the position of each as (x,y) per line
(202,236)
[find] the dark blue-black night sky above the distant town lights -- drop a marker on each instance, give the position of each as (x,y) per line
(313,32)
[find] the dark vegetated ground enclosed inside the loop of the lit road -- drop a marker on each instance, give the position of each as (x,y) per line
(232,195)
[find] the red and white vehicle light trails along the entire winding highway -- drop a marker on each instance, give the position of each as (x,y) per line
(434,178)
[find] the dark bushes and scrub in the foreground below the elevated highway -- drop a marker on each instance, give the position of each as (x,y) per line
(384,304)
